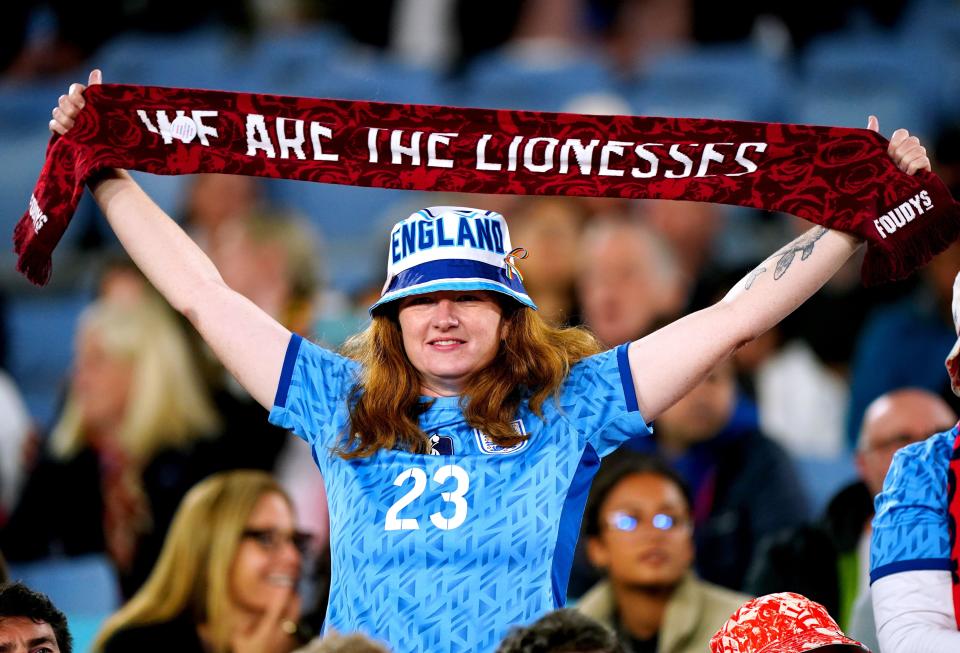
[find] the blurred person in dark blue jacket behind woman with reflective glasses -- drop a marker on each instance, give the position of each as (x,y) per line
(744,484)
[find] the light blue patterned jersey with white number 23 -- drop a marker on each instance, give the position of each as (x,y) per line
(446,552)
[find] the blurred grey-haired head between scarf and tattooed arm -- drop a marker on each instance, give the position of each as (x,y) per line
(622,259)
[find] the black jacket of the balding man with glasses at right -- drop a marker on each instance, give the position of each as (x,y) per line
(805,559)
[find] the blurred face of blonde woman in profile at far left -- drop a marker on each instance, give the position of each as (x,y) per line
(101,383)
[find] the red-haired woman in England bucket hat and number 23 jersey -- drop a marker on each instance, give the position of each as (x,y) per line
(457,435)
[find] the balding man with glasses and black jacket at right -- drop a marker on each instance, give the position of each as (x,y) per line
(828,561)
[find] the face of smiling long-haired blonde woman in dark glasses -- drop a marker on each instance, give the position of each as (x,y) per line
(267,563)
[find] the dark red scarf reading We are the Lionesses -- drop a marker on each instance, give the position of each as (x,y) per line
(839,178)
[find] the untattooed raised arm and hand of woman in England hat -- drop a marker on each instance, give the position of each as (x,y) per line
(249,342)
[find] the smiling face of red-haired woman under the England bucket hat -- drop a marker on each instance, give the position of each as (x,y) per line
(449,335)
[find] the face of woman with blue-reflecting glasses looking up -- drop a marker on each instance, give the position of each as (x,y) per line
(645,538)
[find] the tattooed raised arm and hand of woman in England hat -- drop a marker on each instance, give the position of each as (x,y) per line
(671,361)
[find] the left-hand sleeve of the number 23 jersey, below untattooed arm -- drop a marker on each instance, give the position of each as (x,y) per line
(312,394)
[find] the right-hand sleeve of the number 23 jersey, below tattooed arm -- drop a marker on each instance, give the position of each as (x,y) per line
(599,396)
